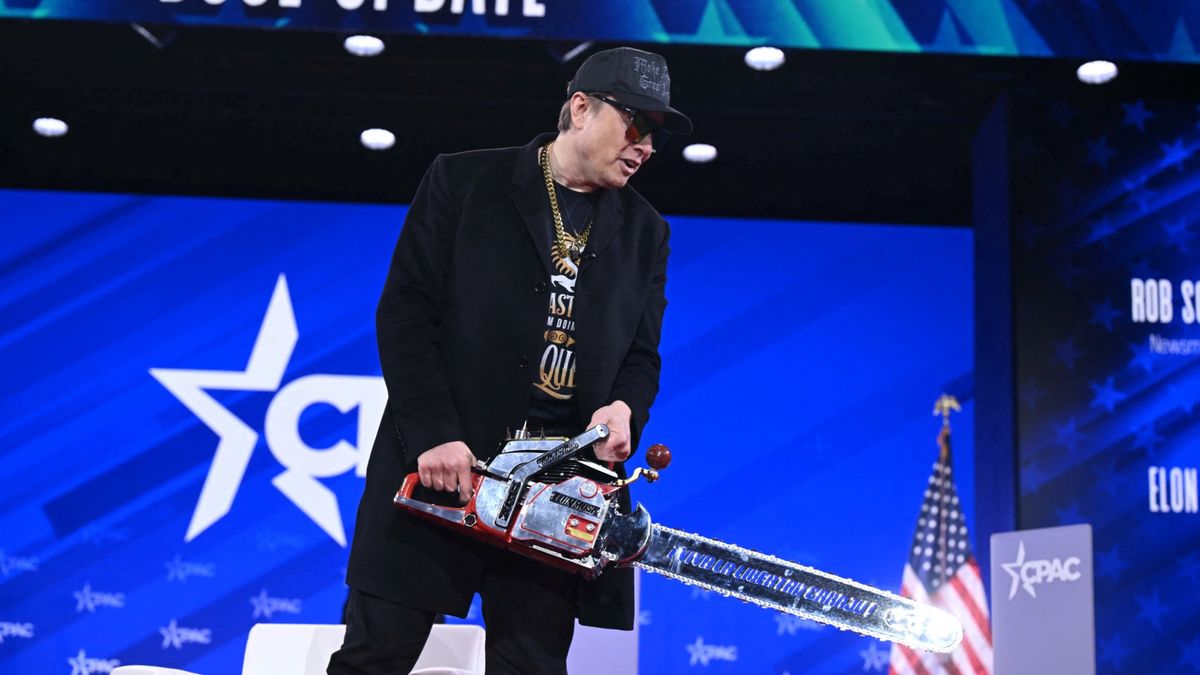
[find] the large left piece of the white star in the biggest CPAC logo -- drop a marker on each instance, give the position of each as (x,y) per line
(265,373)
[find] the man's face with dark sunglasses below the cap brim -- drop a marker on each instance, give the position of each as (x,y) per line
(611,157)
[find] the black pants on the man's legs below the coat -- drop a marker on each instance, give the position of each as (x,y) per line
(529,613)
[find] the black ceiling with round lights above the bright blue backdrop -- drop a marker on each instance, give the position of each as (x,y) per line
(256,114)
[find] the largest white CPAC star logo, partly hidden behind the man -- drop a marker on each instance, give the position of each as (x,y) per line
(303,465)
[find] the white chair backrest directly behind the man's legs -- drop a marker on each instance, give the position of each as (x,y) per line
(304,649)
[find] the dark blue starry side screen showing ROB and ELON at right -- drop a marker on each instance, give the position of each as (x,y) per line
(1111,372)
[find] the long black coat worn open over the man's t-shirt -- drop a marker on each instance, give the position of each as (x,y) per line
(460,334)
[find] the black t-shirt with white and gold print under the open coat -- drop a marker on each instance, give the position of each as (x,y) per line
(553,405)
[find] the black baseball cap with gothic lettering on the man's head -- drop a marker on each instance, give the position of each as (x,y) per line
(639,80)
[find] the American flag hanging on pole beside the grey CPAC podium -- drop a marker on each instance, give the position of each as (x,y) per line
(943,572)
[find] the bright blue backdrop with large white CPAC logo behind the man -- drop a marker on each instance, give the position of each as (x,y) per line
(801,366)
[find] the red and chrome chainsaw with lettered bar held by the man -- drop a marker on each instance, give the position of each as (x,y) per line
(539,498)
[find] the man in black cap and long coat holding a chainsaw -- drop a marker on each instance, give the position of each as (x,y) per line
(527,288)
